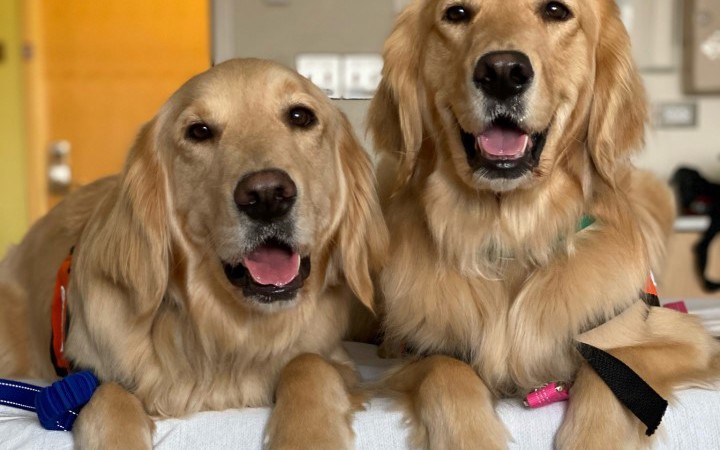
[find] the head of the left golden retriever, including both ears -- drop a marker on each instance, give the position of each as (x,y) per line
(251,181)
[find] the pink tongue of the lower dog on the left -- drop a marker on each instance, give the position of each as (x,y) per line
(269,265)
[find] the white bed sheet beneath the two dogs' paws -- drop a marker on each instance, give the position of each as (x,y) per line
(691,422)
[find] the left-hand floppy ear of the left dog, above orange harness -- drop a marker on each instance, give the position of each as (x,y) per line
(125,252)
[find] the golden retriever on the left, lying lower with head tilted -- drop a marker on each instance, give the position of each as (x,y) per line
(216,271)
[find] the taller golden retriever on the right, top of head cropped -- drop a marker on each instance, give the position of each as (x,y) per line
(503,125)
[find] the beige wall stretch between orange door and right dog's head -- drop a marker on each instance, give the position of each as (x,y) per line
(304,26)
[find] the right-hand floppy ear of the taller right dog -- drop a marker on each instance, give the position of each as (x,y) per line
(619,107)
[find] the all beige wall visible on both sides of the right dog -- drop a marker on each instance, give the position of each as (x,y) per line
(349,26)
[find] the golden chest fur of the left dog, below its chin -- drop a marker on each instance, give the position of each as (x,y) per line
(240,366)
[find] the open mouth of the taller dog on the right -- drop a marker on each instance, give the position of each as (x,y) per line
(503,149)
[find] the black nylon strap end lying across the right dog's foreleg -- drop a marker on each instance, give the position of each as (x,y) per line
(628,387)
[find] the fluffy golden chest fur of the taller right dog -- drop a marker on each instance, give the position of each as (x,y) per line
(460,287)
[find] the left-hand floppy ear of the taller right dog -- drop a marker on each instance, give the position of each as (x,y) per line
(395,116)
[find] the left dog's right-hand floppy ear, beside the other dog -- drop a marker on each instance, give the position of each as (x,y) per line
(362,235)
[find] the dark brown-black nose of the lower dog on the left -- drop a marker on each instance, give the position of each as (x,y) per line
(266,195)
